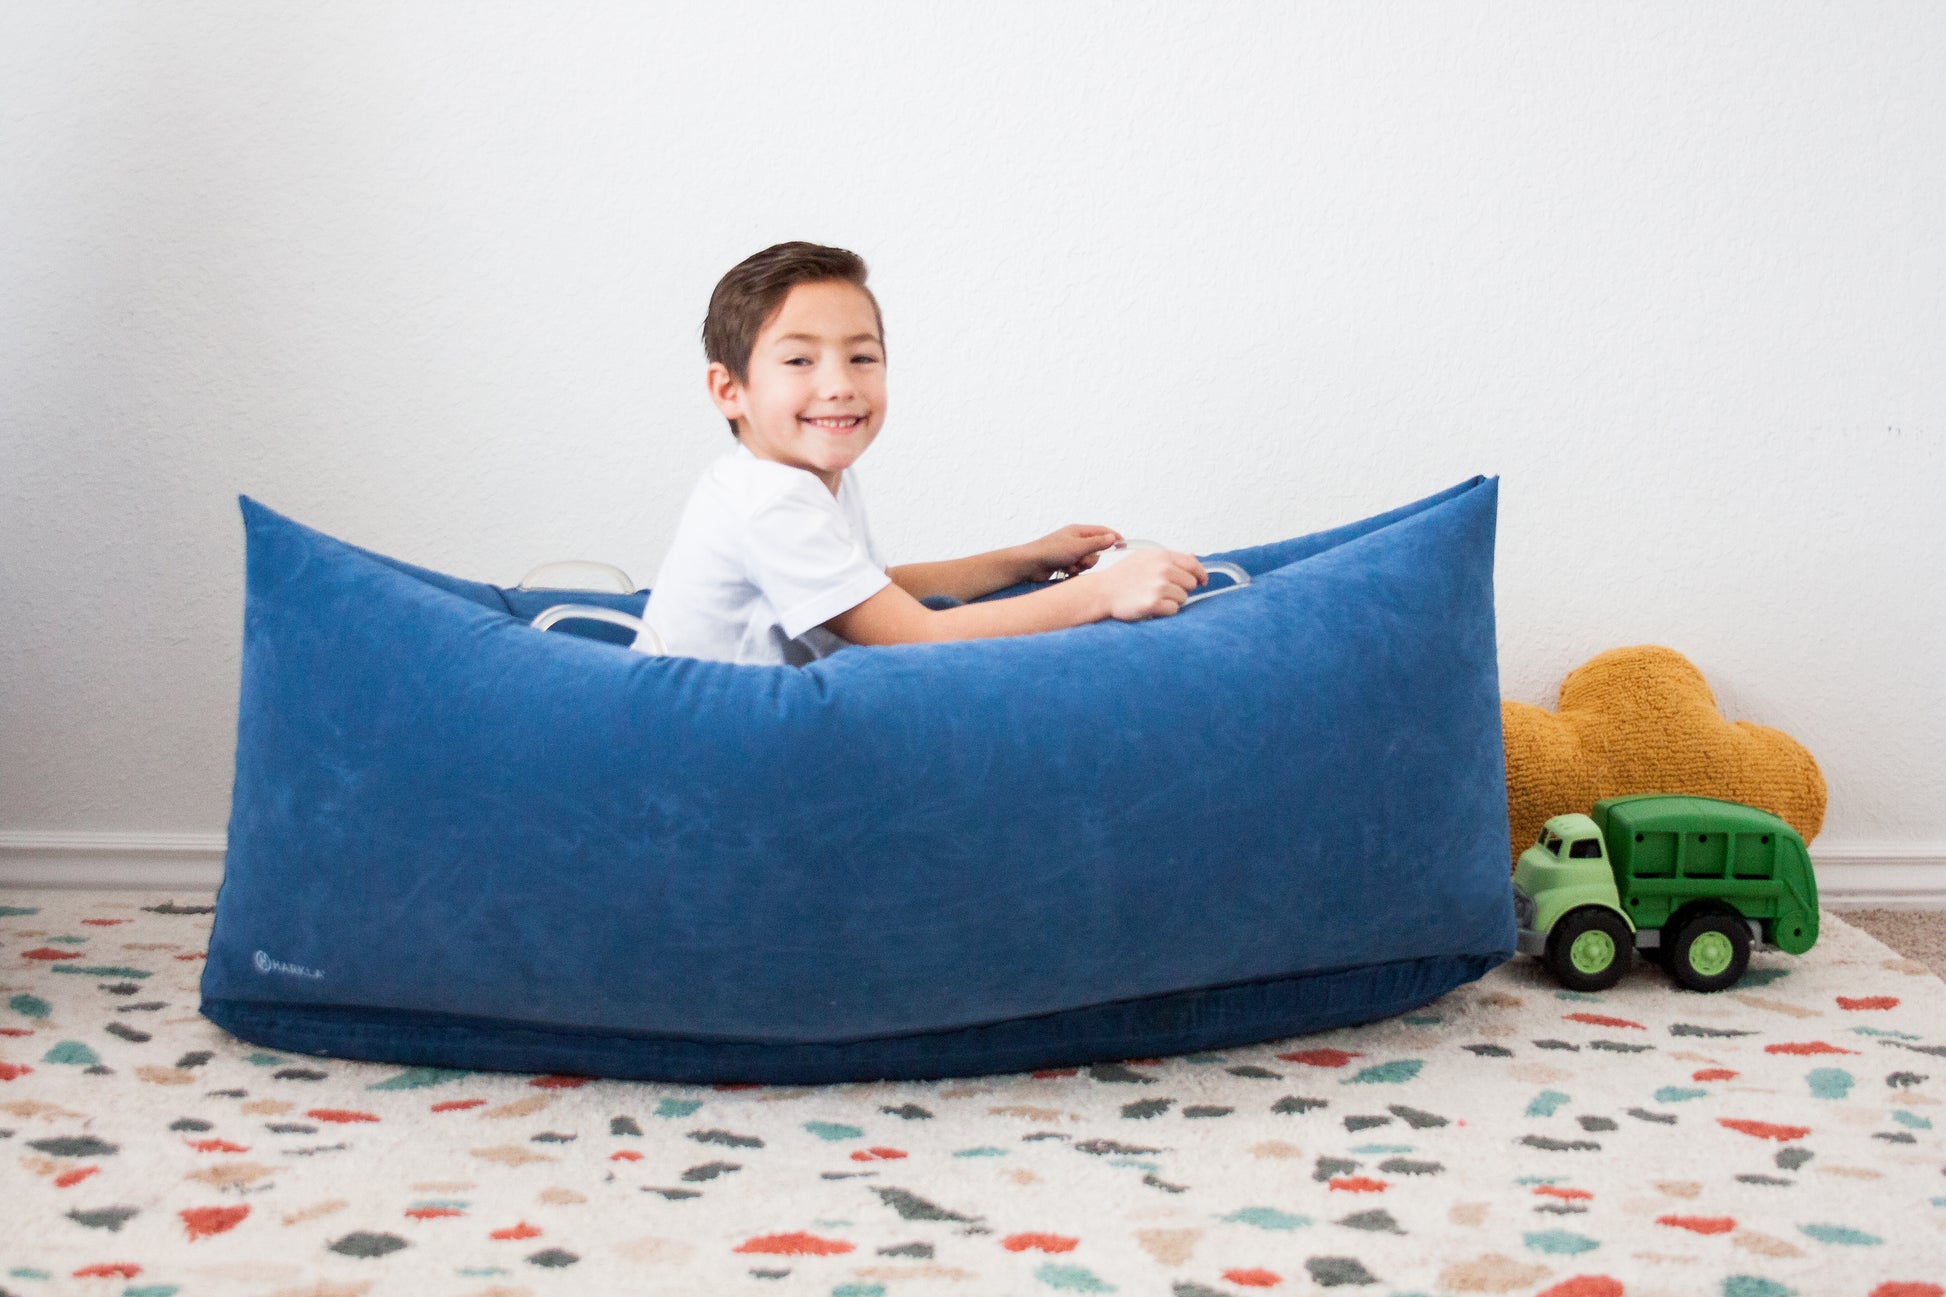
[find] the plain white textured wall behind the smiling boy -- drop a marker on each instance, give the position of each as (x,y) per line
(431,278)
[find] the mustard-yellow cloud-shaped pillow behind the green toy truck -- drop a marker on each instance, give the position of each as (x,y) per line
(1645,722)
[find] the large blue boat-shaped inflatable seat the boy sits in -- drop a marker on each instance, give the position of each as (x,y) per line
(464,842)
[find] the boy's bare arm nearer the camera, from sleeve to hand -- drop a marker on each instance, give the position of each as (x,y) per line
(1151,583)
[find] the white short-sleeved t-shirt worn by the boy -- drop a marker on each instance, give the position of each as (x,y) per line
(762,558)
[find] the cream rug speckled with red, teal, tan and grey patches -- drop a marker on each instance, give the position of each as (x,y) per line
(1513,1138)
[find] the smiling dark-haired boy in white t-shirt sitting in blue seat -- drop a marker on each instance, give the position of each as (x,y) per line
(774,560)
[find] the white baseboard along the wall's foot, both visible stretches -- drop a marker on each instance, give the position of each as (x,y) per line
(1898,877)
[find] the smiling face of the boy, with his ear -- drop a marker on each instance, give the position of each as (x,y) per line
(816,392)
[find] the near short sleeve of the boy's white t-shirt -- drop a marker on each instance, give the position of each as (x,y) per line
(805,558)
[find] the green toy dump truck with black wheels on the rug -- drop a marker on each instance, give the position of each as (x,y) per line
(1692,881)
